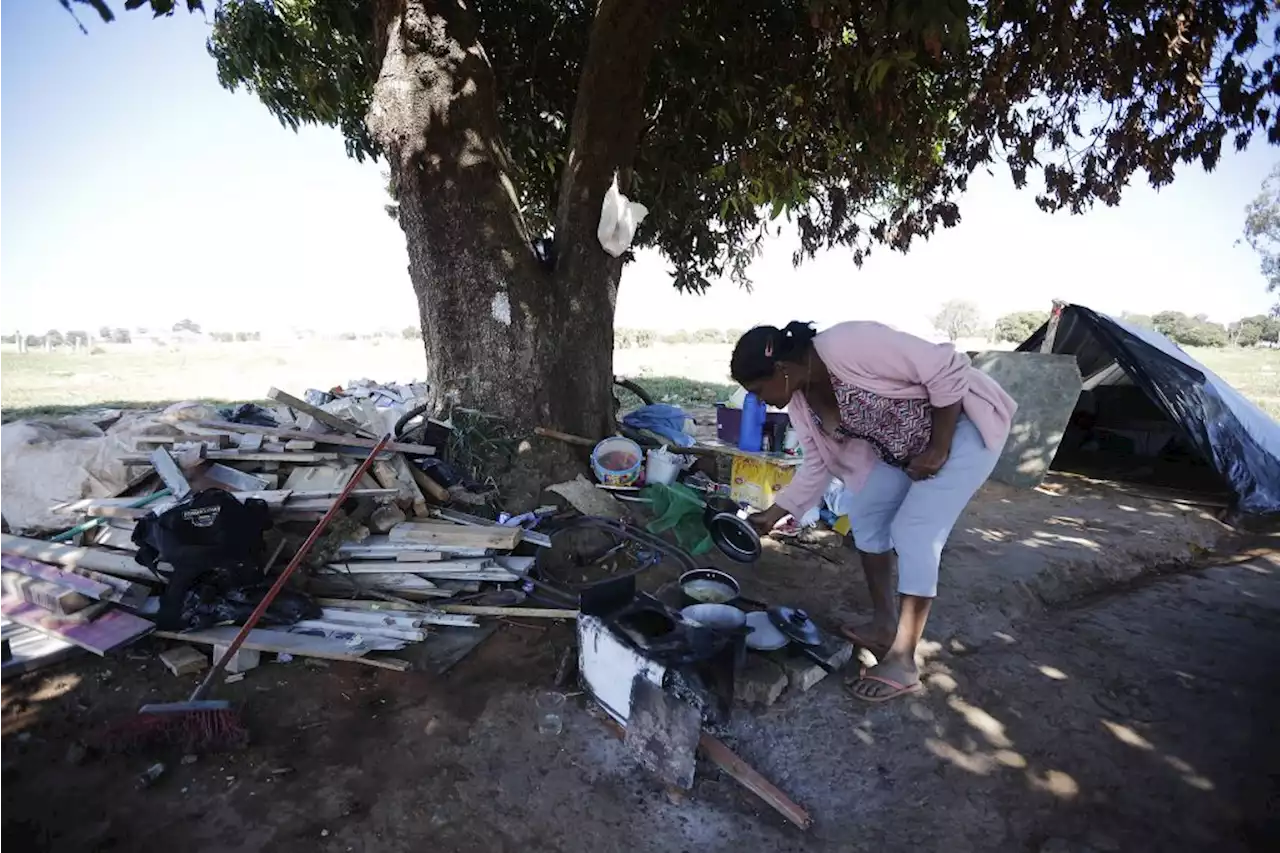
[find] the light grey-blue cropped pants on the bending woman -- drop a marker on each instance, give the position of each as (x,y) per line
(894,513)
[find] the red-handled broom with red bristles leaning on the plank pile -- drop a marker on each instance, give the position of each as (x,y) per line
(213,726)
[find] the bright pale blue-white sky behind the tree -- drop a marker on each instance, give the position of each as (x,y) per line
(134,190)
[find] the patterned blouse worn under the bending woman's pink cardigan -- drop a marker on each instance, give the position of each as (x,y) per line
(897,430)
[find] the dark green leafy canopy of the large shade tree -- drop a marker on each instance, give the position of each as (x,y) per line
(861,122)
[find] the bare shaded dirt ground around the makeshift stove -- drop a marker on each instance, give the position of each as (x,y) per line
(1077,700)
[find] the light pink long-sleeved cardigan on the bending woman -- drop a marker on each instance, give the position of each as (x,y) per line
(894,364)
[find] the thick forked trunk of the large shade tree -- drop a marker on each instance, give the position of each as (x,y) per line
(504,332)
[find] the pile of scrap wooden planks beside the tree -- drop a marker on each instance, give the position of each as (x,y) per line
(388,576)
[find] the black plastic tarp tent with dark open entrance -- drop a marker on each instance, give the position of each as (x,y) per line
(1154,413)
